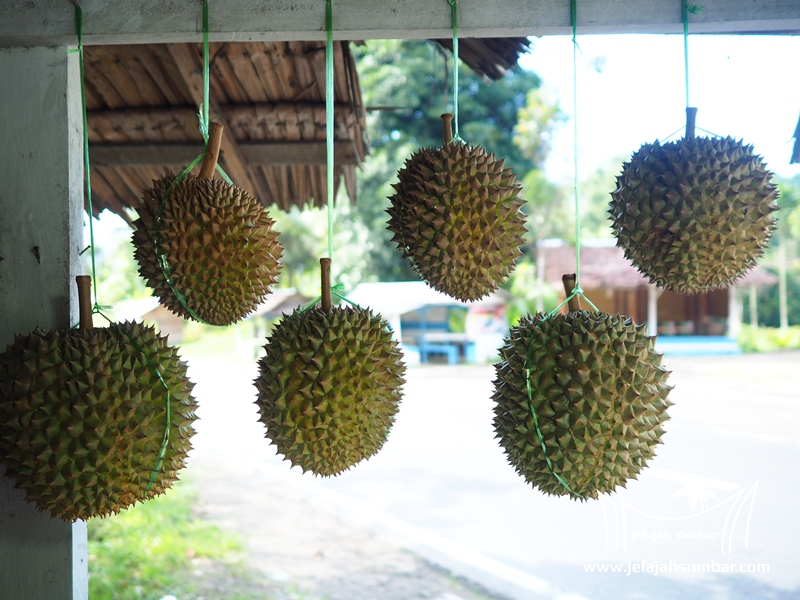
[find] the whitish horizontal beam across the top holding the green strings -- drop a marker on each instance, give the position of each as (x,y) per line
(50,22)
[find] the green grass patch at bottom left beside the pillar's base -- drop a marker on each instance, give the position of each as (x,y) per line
(163,547)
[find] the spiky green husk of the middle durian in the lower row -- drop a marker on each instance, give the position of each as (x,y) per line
(329,387)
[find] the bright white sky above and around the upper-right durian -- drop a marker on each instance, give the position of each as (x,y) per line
(631,90)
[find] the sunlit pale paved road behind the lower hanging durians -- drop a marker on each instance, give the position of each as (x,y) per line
(721,494)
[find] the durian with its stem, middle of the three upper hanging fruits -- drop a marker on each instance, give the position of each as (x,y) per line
(456,217)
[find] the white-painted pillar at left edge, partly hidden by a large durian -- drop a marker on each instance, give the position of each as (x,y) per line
(41,222)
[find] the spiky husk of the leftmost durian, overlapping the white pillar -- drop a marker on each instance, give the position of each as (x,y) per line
(83,417)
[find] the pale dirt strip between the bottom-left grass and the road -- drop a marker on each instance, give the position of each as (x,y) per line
(304,549)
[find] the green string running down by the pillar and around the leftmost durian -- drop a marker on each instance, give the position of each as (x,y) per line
(97,309)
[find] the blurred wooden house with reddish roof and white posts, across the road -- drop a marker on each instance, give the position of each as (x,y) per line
(614,285)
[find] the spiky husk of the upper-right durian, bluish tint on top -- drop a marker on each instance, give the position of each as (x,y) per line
(694,215)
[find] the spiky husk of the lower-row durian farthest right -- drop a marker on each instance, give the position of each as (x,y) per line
(599,393)
